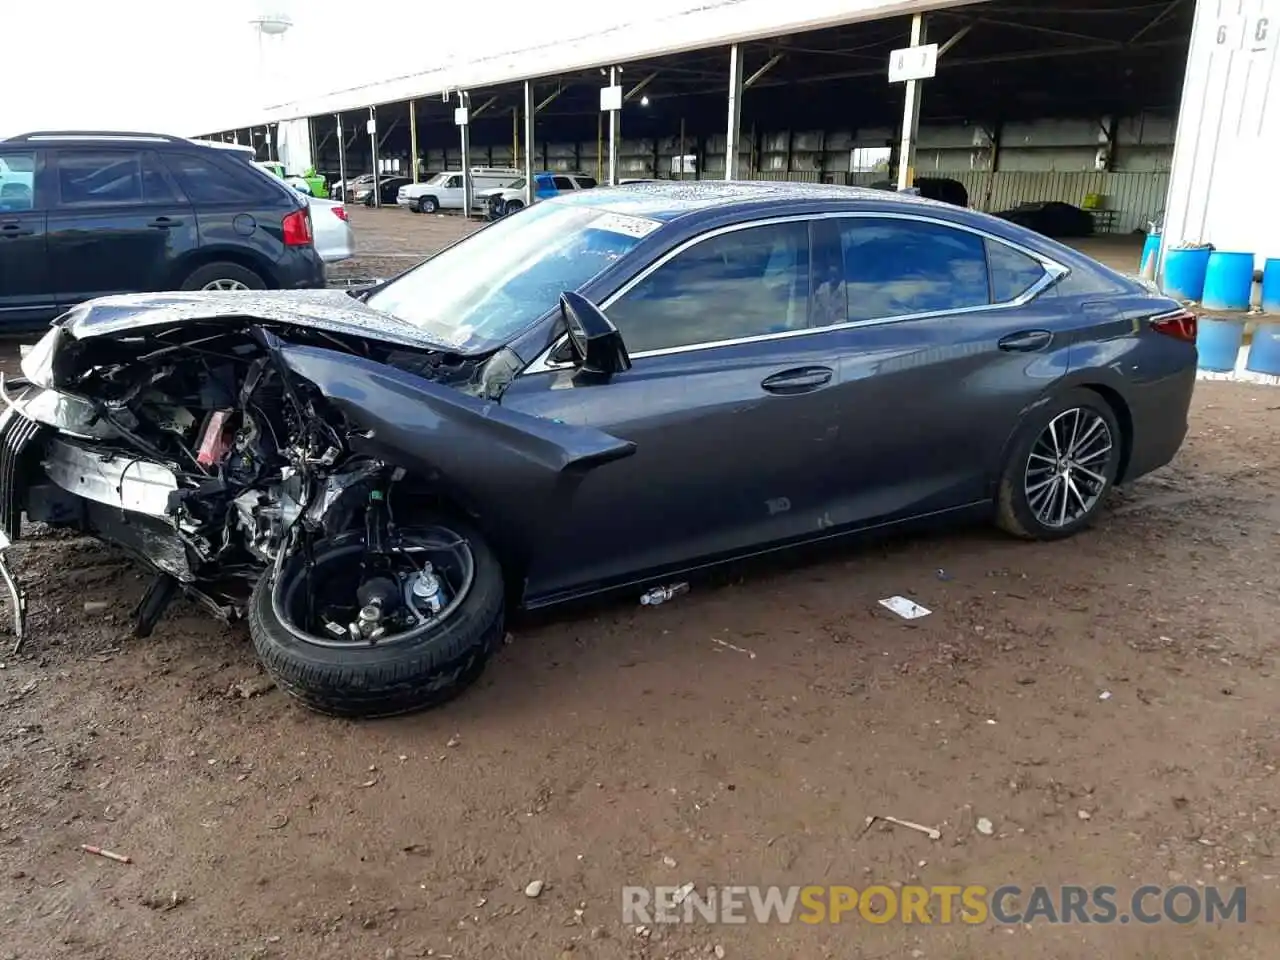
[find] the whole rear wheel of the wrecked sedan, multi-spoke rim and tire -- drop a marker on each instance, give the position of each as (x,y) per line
(1063,465)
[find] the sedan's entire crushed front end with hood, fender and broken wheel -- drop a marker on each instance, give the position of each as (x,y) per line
(354,491)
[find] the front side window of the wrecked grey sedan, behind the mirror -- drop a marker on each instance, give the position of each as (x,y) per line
(743,284)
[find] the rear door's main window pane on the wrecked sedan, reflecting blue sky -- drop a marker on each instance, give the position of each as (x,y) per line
(898,268)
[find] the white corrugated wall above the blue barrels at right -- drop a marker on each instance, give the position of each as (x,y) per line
(1222,190)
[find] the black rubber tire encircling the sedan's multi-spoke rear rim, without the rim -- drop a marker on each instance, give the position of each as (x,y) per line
(1014,510)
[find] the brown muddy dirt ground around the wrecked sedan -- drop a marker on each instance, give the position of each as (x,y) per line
(739,735)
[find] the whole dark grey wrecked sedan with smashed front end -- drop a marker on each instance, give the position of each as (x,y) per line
(610,391)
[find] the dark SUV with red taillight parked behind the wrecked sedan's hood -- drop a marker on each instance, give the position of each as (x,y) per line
(92,214)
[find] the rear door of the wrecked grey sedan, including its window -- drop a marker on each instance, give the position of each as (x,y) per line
(948,339)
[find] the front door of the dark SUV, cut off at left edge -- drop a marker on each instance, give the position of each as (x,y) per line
(26,291)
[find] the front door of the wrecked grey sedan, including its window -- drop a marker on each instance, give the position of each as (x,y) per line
(729,403)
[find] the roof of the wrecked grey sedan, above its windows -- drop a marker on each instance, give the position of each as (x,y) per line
(669,200)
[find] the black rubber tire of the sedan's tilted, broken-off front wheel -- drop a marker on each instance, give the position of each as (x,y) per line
(395,679)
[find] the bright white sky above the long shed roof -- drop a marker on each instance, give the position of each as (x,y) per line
(186,67)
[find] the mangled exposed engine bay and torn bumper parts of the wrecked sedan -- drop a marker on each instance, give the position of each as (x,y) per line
(202,454)
